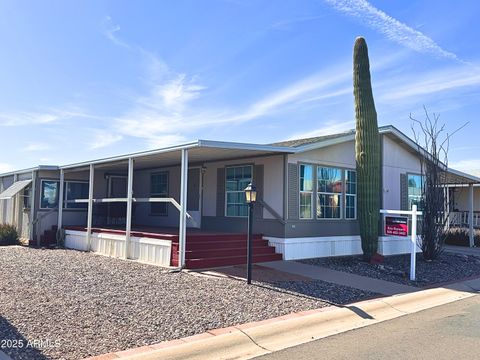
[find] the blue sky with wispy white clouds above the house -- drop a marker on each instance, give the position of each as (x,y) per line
(84,80)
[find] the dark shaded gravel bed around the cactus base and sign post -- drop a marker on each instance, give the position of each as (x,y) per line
(448,267)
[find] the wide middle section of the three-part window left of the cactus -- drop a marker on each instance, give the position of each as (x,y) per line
(329,197)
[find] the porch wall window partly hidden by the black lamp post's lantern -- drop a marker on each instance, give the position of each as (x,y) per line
(236,180)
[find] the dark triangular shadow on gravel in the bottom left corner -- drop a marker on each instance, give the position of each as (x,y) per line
(15,345)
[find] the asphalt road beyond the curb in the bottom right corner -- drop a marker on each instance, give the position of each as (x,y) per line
(450,331)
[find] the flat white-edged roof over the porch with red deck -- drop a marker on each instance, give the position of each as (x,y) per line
(200,151)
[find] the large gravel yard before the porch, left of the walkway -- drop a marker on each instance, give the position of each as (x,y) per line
(81,304)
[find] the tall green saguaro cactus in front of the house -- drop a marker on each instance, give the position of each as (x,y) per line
(367,150)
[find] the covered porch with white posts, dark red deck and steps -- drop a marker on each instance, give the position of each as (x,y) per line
(149,206)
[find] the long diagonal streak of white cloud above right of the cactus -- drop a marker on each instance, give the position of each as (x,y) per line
(390,27)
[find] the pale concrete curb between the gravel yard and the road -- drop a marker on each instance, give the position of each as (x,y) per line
(254,339)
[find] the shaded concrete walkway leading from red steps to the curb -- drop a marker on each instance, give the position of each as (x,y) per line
(340,277)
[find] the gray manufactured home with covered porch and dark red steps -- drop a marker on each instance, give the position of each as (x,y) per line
(191,197)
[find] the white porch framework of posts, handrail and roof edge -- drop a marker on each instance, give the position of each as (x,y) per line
(191,154)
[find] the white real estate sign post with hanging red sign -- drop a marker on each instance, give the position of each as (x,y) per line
(398,226)
